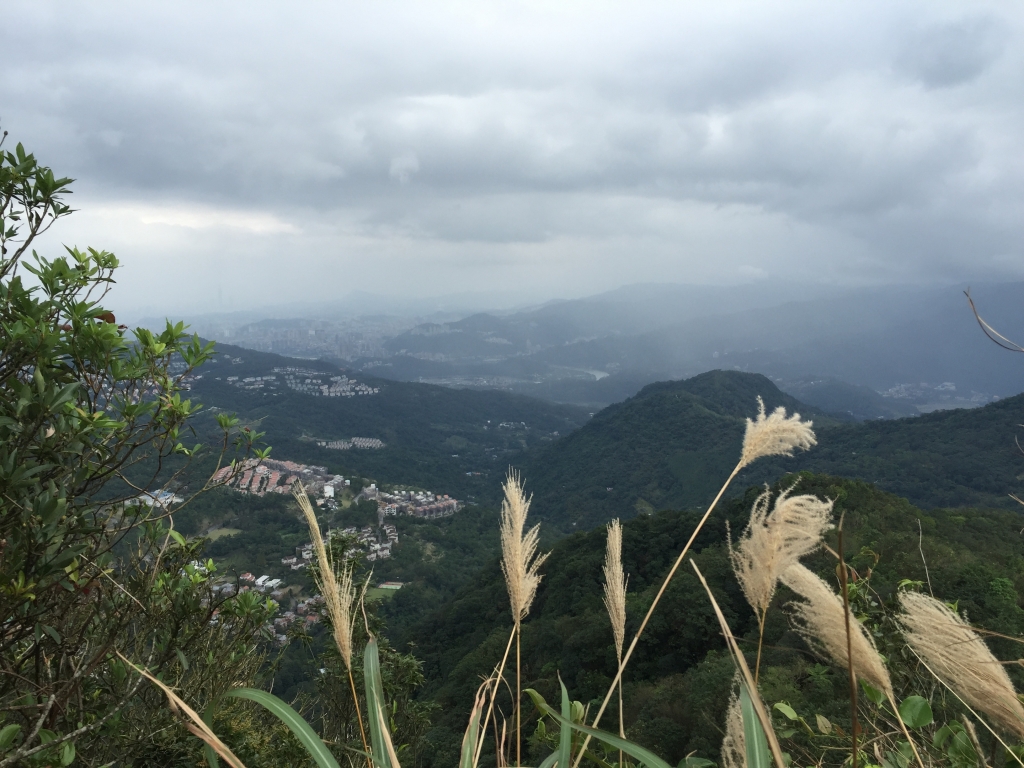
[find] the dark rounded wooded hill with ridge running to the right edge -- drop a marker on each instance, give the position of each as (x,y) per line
(674,443)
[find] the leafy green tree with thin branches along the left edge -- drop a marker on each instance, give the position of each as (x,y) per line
(94,581)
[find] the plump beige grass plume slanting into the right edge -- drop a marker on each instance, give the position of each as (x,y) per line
(961,660)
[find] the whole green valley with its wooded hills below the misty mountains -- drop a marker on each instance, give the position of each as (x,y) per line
(654,460)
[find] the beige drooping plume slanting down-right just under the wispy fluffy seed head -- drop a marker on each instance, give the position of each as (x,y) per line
(822,620)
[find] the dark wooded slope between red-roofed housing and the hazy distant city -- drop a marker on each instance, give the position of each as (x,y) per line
(434,436)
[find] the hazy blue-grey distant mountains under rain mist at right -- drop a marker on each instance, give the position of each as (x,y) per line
(920,348)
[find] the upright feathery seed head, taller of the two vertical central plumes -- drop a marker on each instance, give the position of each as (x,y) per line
(521,561)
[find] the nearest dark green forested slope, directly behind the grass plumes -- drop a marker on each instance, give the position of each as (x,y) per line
(677,685)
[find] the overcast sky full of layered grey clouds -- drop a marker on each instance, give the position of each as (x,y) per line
(243,154)
